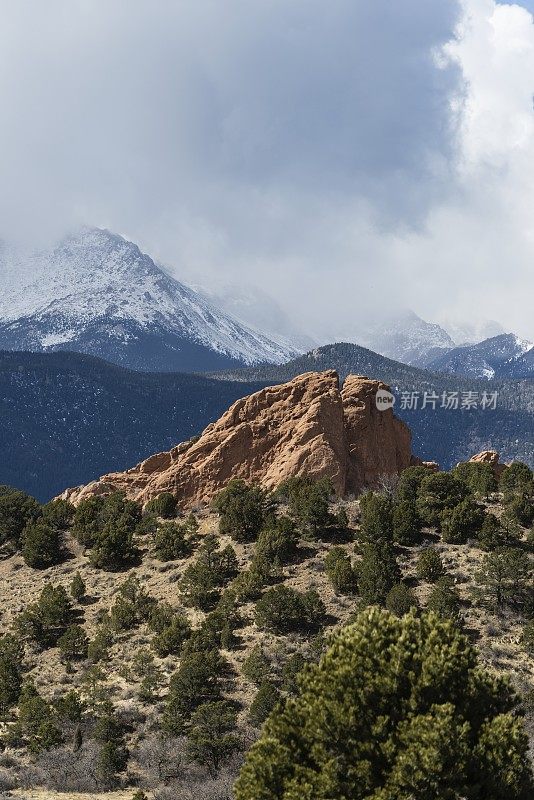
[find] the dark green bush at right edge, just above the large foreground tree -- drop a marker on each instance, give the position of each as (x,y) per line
(504,579)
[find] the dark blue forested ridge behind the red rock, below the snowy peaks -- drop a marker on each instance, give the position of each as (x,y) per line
(68,418)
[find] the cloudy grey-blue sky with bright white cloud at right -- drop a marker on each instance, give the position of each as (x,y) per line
(347,157)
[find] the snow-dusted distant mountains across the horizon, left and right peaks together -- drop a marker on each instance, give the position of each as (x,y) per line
(97,293)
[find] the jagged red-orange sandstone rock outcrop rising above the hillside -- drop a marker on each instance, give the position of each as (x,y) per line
(308,426)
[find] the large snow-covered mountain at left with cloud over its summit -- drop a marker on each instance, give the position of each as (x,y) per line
(97,293)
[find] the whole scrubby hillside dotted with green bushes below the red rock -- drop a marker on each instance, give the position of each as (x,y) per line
(143,649)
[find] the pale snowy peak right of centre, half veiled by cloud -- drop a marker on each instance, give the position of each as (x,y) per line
(408,338)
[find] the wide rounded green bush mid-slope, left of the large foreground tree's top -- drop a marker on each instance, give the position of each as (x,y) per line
(282,609)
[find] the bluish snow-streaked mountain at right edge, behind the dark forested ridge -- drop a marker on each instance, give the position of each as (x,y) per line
(505,356)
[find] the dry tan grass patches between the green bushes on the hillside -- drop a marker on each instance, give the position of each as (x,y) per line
(496,638)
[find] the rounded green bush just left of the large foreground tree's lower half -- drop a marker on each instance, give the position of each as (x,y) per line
(211,738)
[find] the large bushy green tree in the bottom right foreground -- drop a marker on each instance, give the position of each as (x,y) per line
(425,722)
